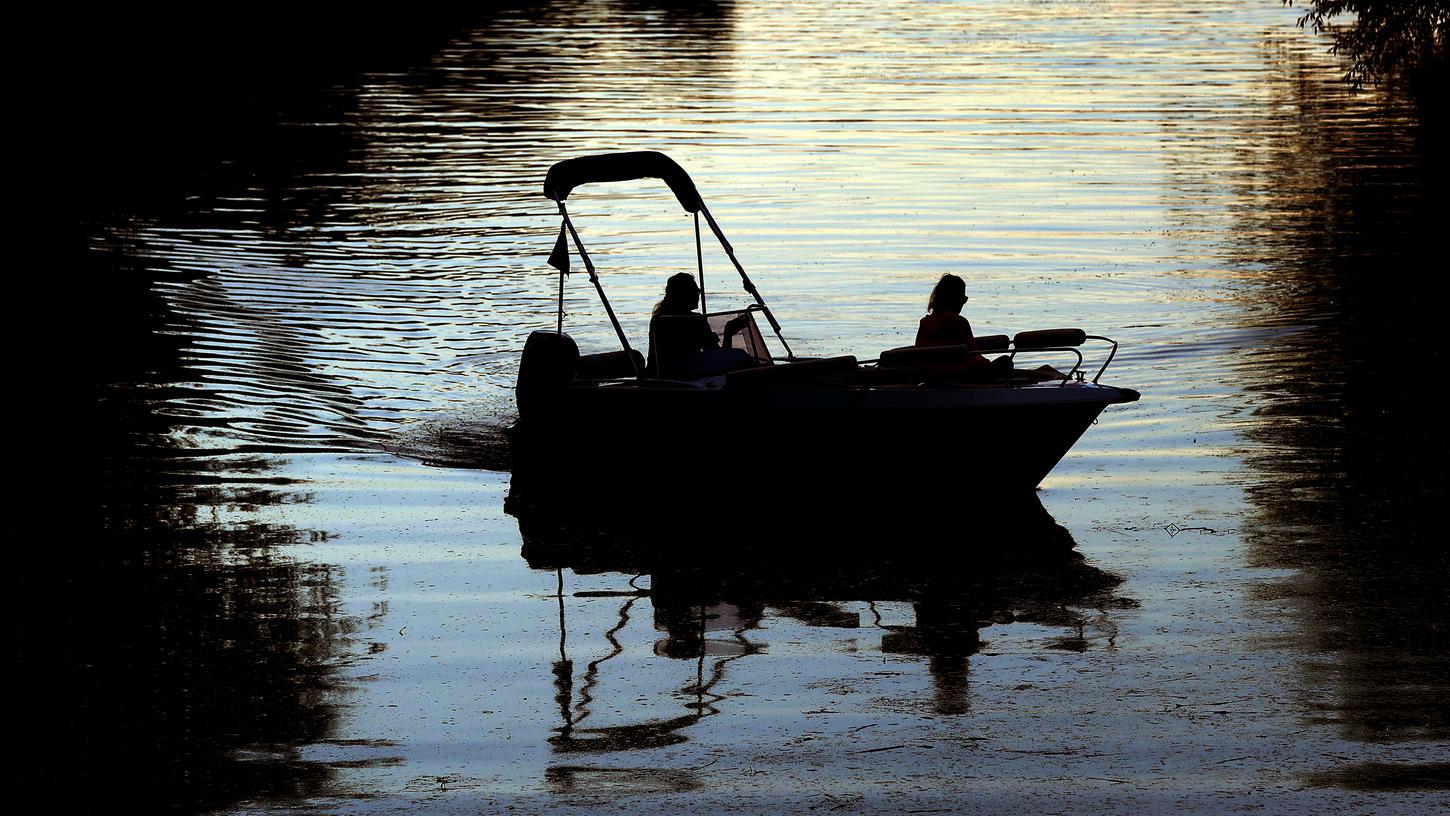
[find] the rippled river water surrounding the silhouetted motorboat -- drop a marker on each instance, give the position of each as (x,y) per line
(299,589)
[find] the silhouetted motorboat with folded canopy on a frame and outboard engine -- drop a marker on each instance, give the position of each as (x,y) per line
(753,422)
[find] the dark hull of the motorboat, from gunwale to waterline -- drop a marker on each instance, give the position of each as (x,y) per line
(659,446)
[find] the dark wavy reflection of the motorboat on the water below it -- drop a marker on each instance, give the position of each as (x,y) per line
(714,585)
